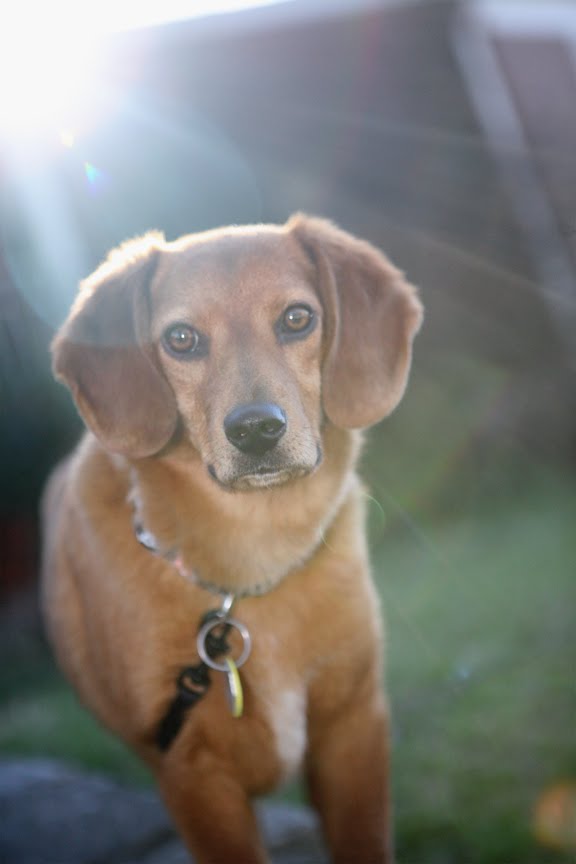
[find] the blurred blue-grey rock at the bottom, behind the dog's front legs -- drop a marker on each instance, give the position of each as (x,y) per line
(53,814)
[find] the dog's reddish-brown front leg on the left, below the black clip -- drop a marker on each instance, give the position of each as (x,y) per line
(211,810)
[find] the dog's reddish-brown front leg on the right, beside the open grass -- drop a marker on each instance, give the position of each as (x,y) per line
(347,772)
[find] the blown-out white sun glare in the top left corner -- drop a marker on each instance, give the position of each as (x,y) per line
(52,59)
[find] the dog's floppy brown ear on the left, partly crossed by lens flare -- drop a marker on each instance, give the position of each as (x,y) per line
(101,354)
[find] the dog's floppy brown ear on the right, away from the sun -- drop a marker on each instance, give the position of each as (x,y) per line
(371,317)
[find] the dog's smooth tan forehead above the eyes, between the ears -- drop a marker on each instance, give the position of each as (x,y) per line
(239,265)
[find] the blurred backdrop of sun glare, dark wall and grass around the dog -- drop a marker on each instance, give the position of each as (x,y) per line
(443,132)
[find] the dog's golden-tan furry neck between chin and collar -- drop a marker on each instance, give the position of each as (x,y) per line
(241,542)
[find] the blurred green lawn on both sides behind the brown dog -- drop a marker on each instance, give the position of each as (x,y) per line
(479,609)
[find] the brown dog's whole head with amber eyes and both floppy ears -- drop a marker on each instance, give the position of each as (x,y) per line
(245,340)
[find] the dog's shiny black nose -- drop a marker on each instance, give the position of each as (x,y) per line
(255,427)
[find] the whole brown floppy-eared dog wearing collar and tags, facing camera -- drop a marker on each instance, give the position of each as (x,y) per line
(221,377)
